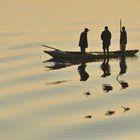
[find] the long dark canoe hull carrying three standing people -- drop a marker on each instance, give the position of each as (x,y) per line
(87,56)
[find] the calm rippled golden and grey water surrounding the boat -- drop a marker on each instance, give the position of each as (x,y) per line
(62,101)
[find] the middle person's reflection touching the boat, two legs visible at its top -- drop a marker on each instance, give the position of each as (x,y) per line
(105,67)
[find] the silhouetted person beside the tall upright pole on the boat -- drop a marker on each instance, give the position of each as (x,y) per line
(123,39)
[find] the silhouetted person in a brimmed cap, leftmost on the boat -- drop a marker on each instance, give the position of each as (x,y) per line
(83,42)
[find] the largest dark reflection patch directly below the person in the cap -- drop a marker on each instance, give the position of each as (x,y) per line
(83,74)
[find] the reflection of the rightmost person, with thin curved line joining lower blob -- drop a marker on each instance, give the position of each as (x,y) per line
(123,69)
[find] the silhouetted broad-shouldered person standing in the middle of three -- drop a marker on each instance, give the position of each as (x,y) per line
(106,38)
